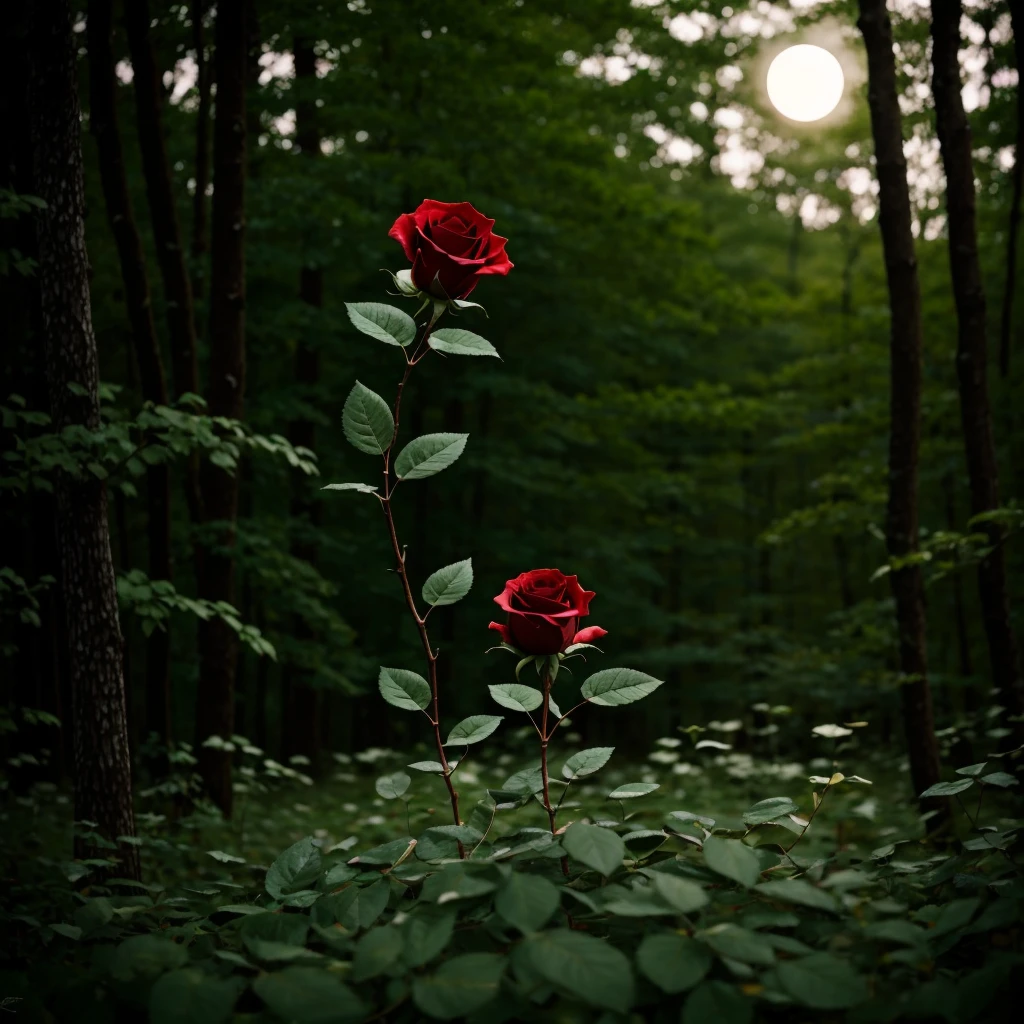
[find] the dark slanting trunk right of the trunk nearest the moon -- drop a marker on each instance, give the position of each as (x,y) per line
(972,349)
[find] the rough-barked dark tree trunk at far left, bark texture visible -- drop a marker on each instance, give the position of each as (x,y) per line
(103,770)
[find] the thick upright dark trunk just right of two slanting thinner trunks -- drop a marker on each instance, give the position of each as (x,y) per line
(219,644)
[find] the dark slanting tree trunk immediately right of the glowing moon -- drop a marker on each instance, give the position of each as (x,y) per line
(906,356)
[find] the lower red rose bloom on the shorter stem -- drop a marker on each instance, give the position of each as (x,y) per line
(545,608)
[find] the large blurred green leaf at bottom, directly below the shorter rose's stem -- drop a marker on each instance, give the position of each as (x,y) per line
(587,967)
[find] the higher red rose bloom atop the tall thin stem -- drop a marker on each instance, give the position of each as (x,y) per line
(451,245)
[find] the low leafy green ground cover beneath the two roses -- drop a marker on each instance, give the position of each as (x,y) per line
(698,884)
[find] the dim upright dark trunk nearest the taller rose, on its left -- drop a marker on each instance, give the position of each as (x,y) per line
(302,727)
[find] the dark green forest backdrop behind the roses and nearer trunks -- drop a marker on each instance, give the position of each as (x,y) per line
(692,412)
